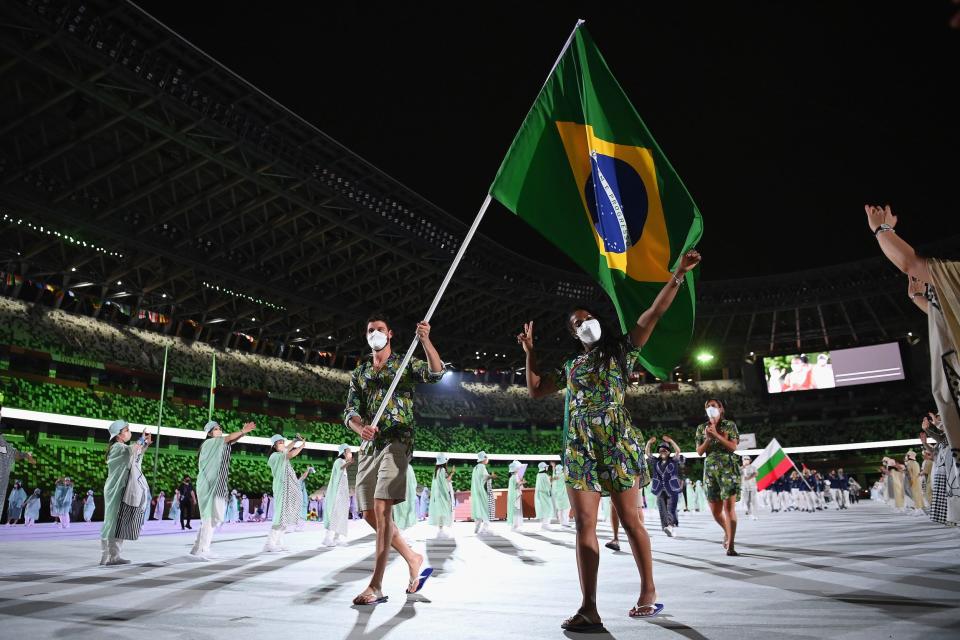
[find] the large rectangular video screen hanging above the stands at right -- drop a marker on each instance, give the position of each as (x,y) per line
(829,369)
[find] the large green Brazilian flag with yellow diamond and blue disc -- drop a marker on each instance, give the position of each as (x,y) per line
(585,172)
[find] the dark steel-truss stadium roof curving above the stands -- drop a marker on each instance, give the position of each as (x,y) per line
(202,198)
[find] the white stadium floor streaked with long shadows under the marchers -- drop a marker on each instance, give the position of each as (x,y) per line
(863,573)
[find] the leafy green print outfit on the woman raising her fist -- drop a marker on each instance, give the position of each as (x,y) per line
(603,450)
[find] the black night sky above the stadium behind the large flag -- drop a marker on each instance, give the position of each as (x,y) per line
(781,118)
